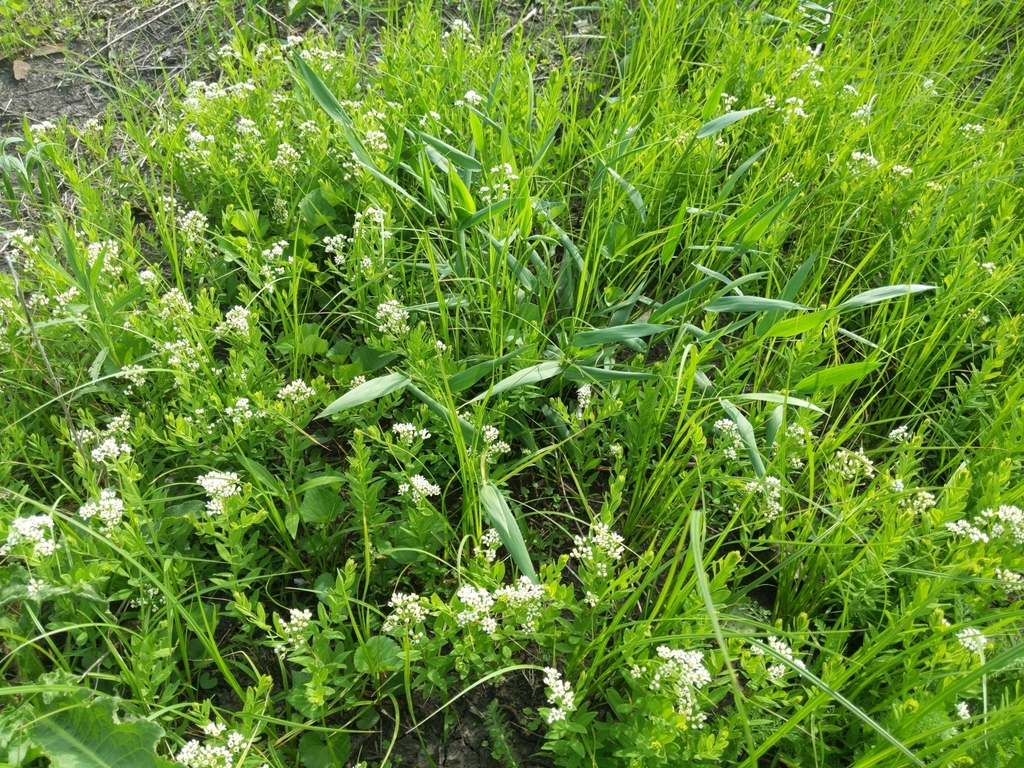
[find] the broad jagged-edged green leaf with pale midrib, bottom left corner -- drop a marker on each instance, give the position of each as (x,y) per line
(80,733)
